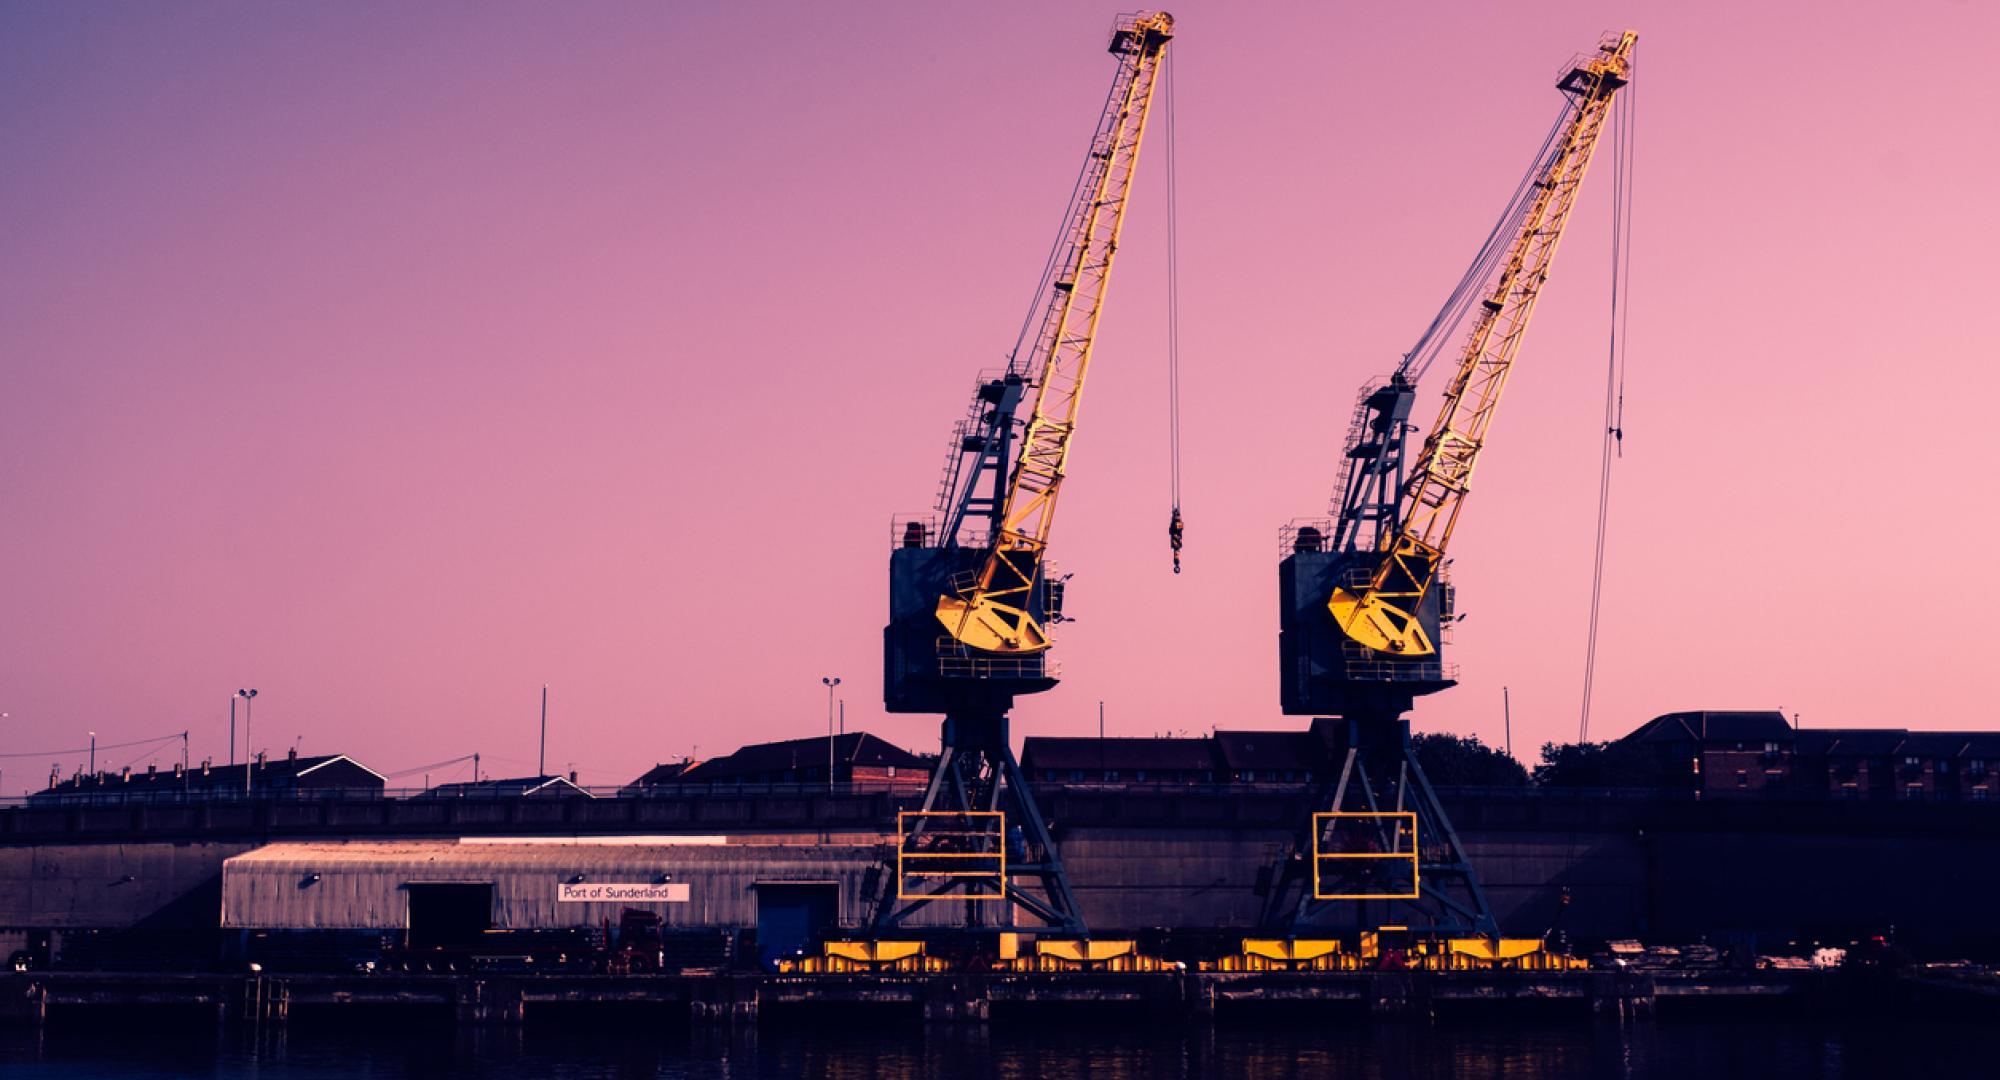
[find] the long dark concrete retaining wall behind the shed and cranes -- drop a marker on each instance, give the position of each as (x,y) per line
(1141,861)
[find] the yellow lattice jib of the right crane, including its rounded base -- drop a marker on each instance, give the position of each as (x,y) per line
(1383,615)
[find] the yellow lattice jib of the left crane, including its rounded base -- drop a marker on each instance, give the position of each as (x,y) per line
(993,613)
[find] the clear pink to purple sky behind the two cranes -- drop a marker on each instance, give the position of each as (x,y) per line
(403,359)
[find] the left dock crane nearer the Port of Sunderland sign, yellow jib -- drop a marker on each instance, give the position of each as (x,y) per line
(981,573)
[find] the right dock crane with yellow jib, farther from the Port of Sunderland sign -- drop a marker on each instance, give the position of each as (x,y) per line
(1363,607)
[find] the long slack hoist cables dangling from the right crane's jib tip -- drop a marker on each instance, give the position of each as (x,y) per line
(1615,375)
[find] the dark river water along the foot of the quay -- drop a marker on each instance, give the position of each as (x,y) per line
(863,1049)
